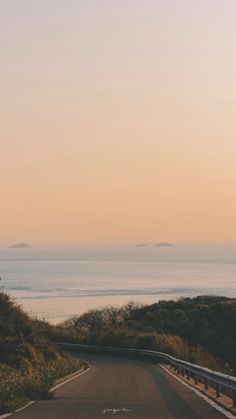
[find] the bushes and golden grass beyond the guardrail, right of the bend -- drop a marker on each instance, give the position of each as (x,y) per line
(201,330)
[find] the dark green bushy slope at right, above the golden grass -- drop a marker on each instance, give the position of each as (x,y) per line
(208,321)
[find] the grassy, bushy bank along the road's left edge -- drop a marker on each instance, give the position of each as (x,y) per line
(29,363)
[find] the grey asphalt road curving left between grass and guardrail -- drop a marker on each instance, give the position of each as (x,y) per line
(137,389)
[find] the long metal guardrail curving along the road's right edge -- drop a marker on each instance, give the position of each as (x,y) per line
(219,381)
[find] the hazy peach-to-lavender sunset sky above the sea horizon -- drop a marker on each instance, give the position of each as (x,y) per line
(117,121)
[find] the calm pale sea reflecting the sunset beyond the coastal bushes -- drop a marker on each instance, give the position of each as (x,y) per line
(55,283)
